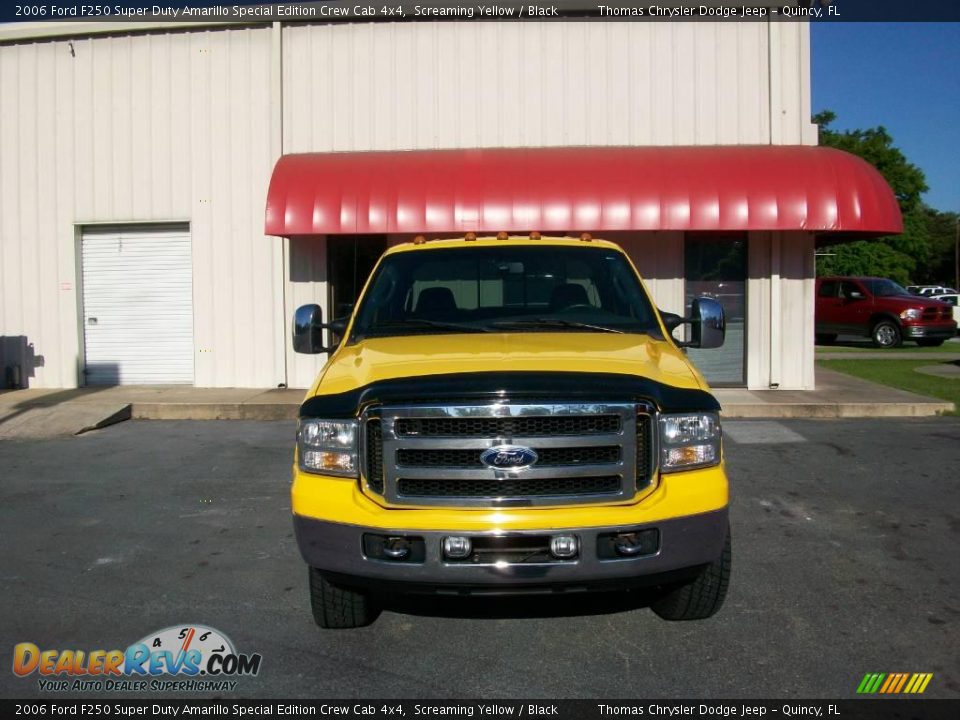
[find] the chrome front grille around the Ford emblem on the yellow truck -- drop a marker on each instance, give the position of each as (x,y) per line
(431,455)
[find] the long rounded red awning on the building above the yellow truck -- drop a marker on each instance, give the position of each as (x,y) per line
(580,189)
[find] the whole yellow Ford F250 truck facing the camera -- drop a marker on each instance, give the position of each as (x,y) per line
(506,415)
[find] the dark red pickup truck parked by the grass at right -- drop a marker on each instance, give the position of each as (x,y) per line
(879,309)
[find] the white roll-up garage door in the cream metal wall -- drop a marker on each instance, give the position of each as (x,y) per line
(137,306)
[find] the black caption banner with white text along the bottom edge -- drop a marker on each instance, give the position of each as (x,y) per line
(875,709)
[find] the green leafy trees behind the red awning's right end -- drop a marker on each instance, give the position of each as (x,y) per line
(924,249)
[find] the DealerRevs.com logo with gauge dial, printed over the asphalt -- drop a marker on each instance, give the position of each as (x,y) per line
(178,658)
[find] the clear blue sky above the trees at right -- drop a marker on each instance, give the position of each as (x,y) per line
(904,76)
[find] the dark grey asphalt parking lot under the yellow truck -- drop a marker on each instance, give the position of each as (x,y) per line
(846,539)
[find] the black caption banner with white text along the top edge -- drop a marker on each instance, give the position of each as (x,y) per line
(204,11)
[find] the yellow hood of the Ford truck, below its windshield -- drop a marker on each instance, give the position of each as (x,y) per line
(378,359)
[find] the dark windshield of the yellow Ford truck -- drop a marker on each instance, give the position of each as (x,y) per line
(504,289)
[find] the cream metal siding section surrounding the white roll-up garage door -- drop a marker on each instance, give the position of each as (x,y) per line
(114,129)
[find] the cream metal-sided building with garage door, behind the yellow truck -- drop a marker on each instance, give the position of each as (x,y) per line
(135,163)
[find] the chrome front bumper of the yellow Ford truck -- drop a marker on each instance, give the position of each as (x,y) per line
(682,543)
